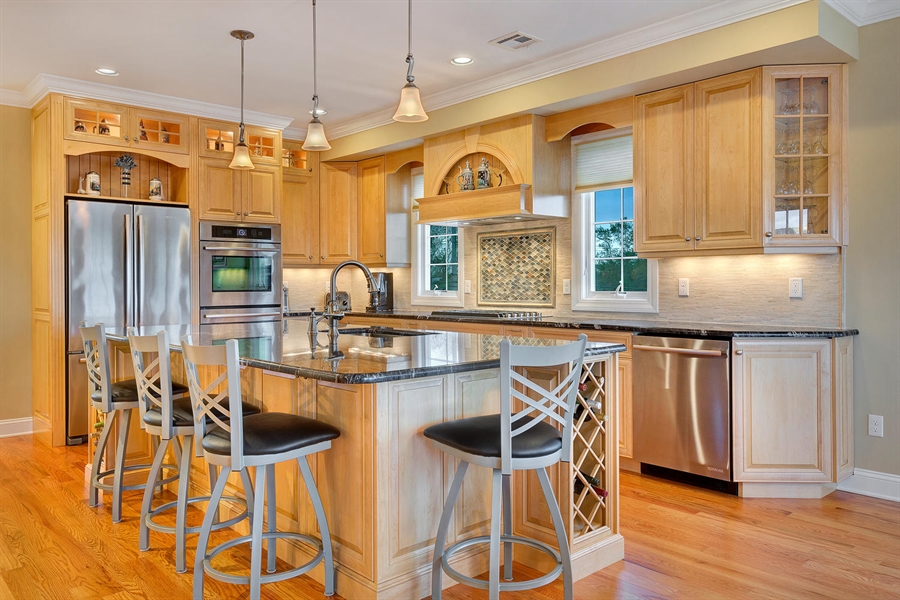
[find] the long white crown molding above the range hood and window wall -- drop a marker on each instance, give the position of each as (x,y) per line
(717,15)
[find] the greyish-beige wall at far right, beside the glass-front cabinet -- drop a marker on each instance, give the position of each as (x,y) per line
(873,258)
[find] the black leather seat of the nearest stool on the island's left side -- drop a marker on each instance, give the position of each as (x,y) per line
(272,433)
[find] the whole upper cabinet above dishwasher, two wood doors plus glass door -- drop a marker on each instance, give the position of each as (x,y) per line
(718,167)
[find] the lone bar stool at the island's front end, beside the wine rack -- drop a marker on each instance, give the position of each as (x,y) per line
(509,442)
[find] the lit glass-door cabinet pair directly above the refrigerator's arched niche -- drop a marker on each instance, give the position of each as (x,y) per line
(119,125)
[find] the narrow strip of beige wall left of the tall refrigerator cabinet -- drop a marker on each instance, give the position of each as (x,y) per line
(15,263)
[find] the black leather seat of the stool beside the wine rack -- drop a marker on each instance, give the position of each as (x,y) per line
(481,436)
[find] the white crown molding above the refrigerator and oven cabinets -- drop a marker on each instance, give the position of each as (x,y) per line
(44,83)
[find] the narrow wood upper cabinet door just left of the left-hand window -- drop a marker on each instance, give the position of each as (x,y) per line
(371,211)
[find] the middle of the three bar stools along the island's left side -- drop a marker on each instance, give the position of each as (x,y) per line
(170,419)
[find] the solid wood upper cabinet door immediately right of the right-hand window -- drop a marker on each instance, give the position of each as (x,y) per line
(663,191)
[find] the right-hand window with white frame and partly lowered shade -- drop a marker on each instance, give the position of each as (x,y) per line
(607,276)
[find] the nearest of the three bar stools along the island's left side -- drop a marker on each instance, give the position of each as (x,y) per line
(255,441)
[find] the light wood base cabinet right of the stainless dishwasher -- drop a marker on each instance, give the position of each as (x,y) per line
(792,414)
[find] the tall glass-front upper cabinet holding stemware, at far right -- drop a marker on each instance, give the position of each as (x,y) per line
(804,156)
